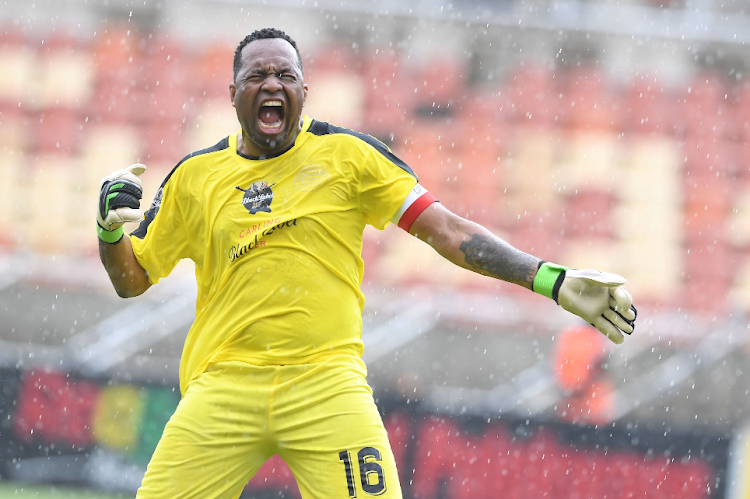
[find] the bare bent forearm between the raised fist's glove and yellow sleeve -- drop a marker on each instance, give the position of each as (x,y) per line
(126,274)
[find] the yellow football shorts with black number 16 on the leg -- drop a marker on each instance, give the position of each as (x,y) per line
(319,418)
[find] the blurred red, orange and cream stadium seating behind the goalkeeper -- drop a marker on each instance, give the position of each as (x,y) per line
(636,178)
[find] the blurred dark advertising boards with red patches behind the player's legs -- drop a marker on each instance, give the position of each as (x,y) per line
(61,427)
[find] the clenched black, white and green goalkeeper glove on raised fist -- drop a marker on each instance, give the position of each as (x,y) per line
(119,202)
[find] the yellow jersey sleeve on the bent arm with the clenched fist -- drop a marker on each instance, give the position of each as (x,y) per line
(160,241)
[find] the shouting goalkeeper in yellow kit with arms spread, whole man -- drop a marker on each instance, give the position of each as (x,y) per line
(273,217)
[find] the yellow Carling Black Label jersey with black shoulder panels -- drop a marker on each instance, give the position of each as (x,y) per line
(276,243)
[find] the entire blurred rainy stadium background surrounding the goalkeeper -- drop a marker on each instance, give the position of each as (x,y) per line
(597,134)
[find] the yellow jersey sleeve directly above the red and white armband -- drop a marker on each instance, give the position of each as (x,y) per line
(386,182)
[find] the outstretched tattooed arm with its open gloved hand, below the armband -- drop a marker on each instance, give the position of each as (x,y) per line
(596,297)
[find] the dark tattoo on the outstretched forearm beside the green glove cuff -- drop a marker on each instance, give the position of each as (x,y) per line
(494,257)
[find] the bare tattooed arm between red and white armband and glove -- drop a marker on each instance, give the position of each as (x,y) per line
(471,246)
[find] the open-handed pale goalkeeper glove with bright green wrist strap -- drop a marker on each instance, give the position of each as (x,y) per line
(596,297)
